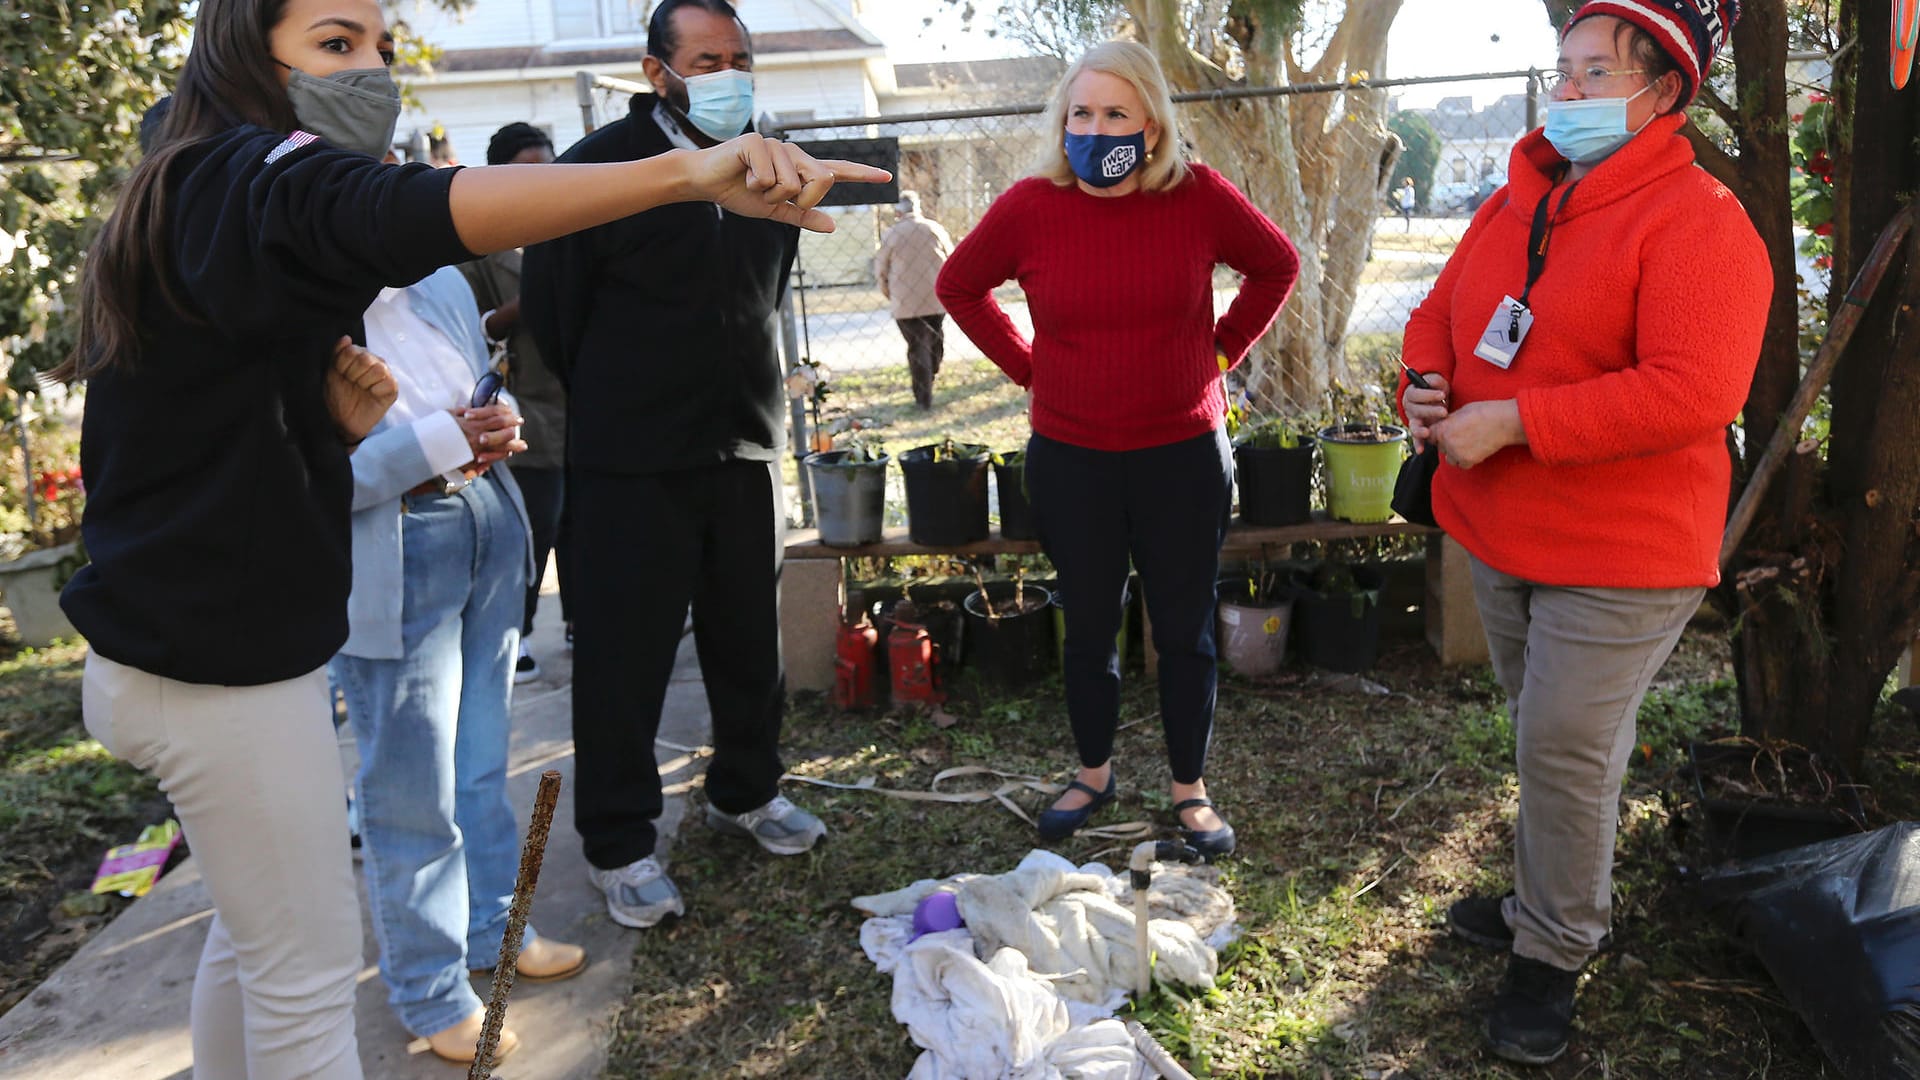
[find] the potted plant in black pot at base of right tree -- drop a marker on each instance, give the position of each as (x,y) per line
(1760,798)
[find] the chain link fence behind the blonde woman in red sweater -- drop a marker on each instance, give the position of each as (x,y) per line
(1328,162)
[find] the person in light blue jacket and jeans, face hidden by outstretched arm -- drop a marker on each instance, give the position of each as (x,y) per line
(441,560)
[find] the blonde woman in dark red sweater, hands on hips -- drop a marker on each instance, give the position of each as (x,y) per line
(1115,243)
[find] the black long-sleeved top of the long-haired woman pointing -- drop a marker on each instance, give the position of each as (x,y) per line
(218,487)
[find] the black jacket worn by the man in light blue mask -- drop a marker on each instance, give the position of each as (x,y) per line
(663,326)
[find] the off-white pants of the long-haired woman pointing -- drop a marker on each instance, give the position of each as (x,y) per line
(254,777)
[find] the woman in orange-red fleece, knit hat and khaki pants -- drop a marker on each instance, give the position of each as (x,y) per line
(1585,453)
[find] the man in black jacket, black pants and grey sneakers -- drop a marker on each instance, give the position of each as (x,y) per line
(663,331)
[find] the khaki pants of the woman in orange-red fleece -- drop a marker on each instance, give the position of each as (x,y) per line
(1575,666)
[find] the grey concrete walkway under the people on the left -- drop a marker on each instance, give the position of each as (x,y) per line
(120,1008)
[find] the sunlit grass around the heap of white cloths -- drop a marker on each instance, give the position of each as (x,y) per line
(1360,822)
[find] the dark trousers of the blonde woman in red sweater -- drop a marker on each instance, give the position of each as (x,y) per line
(1166,510)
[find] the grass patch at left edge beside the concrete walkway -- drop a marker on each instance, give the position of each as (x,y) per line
(64,800)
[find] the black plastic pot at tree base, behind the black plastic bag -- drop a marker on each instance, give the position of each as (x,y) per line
(1748,829)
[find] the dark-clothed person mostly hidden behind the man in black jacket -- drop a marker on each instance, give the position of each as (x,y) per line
(542,468)
